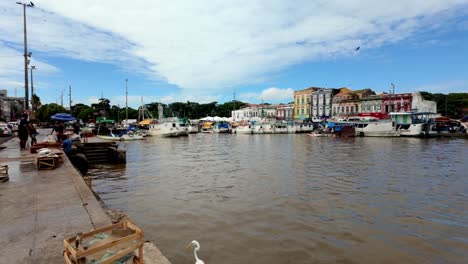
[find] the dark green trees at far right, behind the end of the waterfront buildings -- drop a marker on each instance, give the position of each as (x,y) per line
(450,105)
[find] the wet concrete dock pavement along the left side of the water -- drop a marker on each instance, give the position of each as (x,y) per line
(40,208)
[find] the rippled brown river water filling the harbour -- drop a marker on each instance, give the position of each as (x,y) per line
(295,199)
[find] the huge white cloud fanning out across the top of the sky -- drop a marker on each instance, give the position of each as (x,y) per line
(204,47)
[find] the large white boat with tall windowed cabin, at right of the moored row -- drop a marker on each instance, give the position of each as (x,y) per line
(414,124)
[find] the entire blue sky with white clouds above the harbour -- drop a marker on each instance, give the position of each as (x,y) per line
(257,51)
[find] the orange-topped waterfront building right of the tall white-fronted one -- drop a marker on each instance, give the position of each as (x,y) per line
(348,103)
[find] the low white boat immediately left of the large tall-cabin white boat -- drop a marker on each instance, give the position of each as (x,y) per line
(383,128)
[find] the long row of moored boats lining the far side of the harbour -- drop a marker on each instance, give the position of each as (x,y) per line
(401,124)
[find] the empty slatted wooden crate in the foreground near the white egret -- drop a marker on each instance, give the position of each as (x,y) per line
(125,242)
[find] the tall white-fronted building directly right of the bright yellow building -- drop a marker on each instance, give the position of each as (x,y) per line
(322,100)
